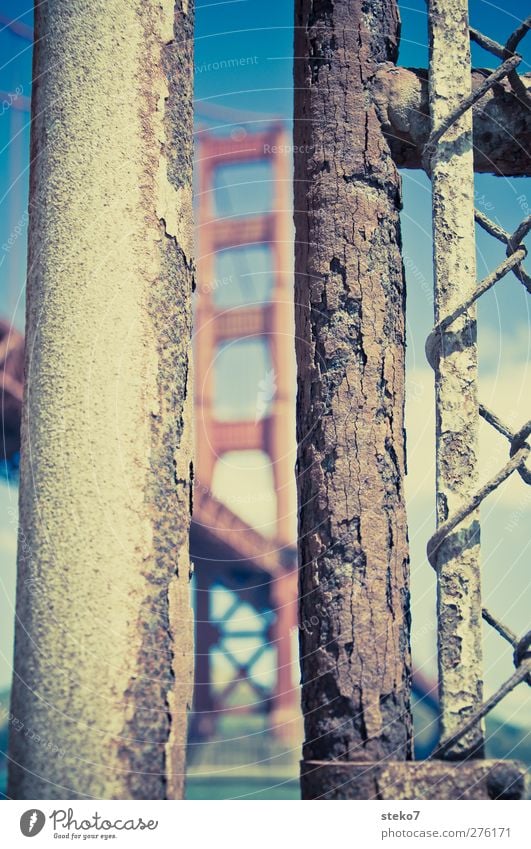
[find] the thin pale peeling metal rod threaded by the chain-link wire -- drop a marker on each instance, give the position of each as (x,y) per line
(458,568)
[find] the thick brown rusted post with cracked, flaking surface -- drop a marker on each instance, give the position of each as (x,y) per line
(349,294)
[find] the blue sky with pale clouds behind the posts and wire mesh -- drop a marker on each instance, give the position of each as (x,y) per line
(260,35)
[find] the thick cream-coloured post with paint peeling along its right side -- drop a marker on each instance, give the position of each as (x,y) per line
(104,655)
